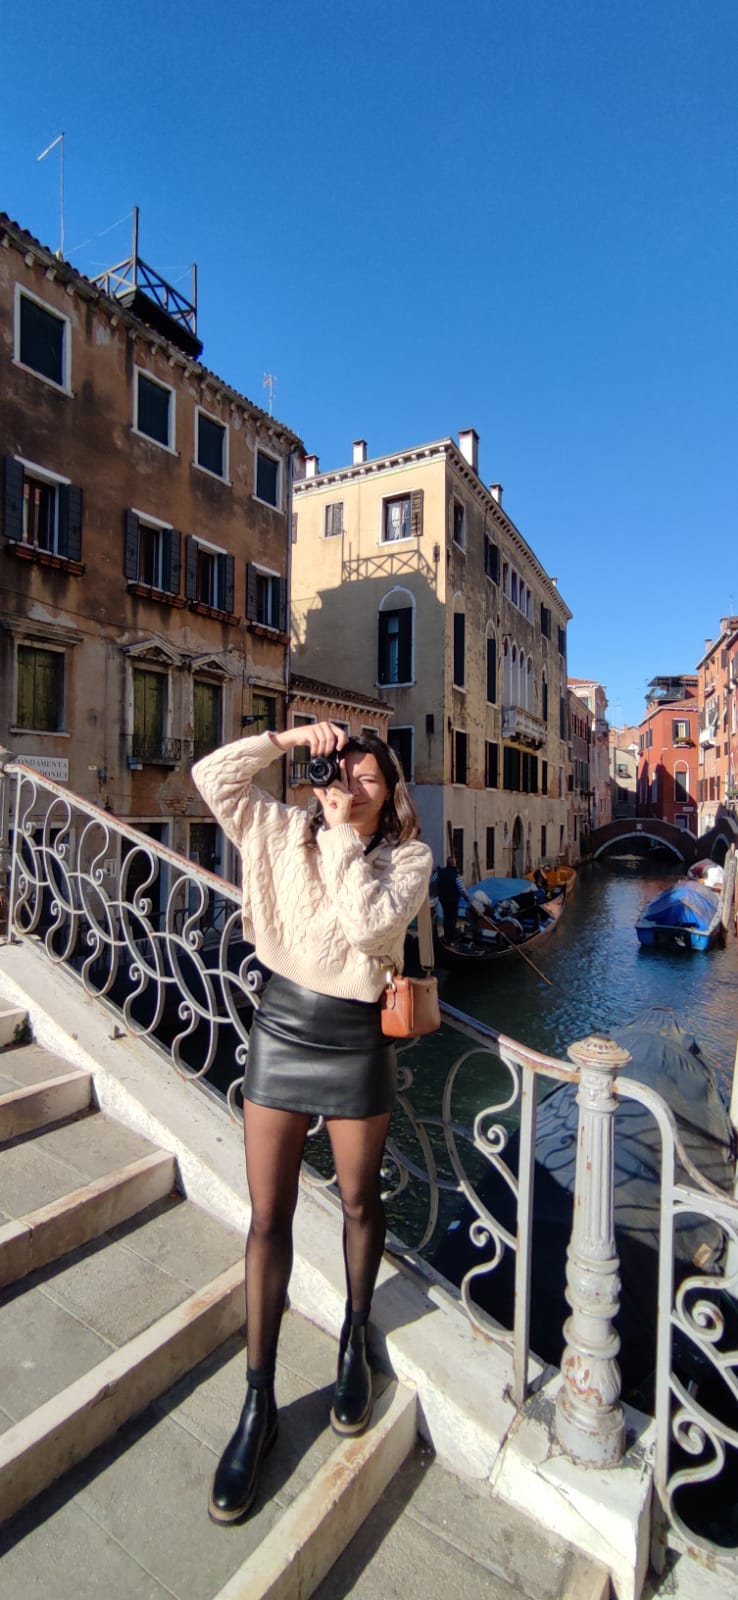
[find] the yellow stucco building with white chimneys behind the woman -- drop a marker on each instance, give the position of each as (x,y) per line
(411,582)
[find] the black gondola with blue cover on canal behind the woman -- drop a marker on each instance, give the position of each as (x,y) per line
(499,918)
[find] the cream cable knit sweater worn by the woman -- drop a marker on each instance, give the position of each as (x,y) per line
(318,910)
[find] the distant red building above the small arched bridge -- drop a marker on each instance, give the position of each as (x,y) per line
(668,753)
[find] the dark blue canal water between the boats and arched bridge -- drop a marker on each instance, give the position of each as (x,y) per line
(601,978)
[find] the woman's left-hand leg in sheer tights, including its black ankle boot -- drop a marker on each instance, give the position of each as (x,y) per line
(275,1142)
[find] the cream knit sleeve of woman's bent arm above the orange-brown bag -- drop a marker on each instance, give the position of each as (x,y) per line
(374,911)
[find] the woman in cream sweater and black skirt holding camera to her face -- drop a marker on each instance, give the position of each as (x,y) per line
(327,900)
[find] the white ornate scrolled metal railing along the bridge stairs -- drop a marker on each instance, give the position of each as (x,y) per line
(159,940)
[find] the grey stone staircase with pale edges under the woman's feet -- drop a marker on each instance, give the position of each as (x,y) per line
(122,1372)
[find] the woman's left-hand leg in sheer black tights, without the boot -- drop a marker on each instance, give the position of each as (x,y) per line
(275,1143)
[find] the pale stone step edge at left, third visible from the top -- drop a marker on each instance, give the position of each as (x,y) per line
(86,1214)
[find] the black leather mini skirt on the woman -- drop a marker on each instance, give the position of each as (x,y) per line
(319,1055)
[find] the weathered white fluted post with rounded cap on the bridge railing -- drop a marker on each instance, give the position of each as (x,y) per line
(590,1420)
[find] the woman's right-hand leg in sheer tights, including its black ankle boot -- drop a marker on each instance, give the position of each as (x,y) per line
(358,1151)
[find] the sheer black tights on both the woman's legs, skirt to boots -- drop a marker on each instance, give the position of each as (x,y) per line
(275,1143)
